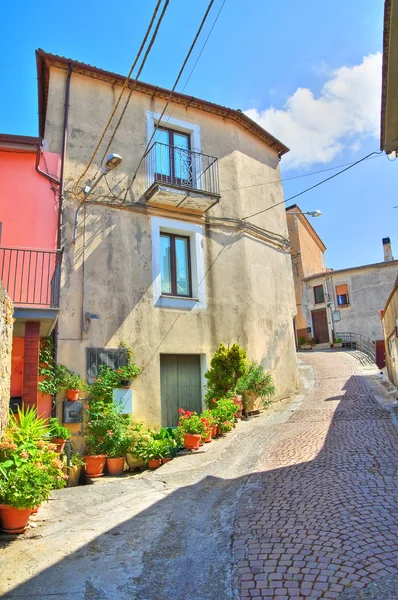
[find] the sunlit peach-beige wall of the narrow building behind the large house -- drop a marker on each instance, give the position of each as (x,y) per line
(307,259)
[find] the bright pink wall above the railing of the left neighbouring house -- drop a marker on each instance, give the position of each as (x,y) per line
(27,203)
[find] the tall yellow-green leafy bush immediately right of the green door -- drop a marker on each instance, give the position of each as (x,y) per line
(227,366)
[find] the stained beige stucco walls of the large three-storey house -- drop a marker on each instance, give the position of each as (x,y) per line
(249,288)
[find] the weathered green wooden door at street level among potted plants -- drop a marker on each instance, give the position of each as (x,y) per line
(180,385)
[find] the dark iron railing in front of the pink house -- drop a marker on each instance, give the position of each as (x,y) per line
(31,277)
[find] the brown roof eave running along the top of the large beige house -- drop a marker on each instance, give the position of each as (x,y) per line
(44,60)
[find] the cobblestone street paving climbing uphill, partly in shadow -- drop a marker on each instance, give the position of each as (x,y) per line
(320,516)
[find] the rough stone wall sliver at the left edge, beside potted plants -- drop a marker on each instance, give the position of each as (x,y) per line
(6,327)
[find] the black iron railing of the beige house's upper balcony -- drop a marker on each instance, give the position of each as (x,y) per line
(182,168)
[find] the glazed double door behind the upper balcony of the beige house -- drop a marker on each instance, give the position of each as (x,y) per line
(173,159)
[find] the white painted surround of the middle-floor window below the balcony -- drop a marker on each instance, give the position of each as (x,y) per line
(196,246)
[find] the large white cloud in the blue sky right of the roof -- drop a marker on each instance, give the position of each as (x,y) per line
(319,129)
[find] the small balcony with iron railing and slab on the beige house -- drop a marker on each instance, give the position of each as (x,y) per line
(181,178)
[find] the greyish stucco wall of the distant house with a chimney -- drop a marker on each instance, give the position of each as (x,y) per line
(368,289)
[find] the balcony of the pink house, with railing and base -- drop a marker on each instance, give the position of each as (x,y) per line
(32,278)
